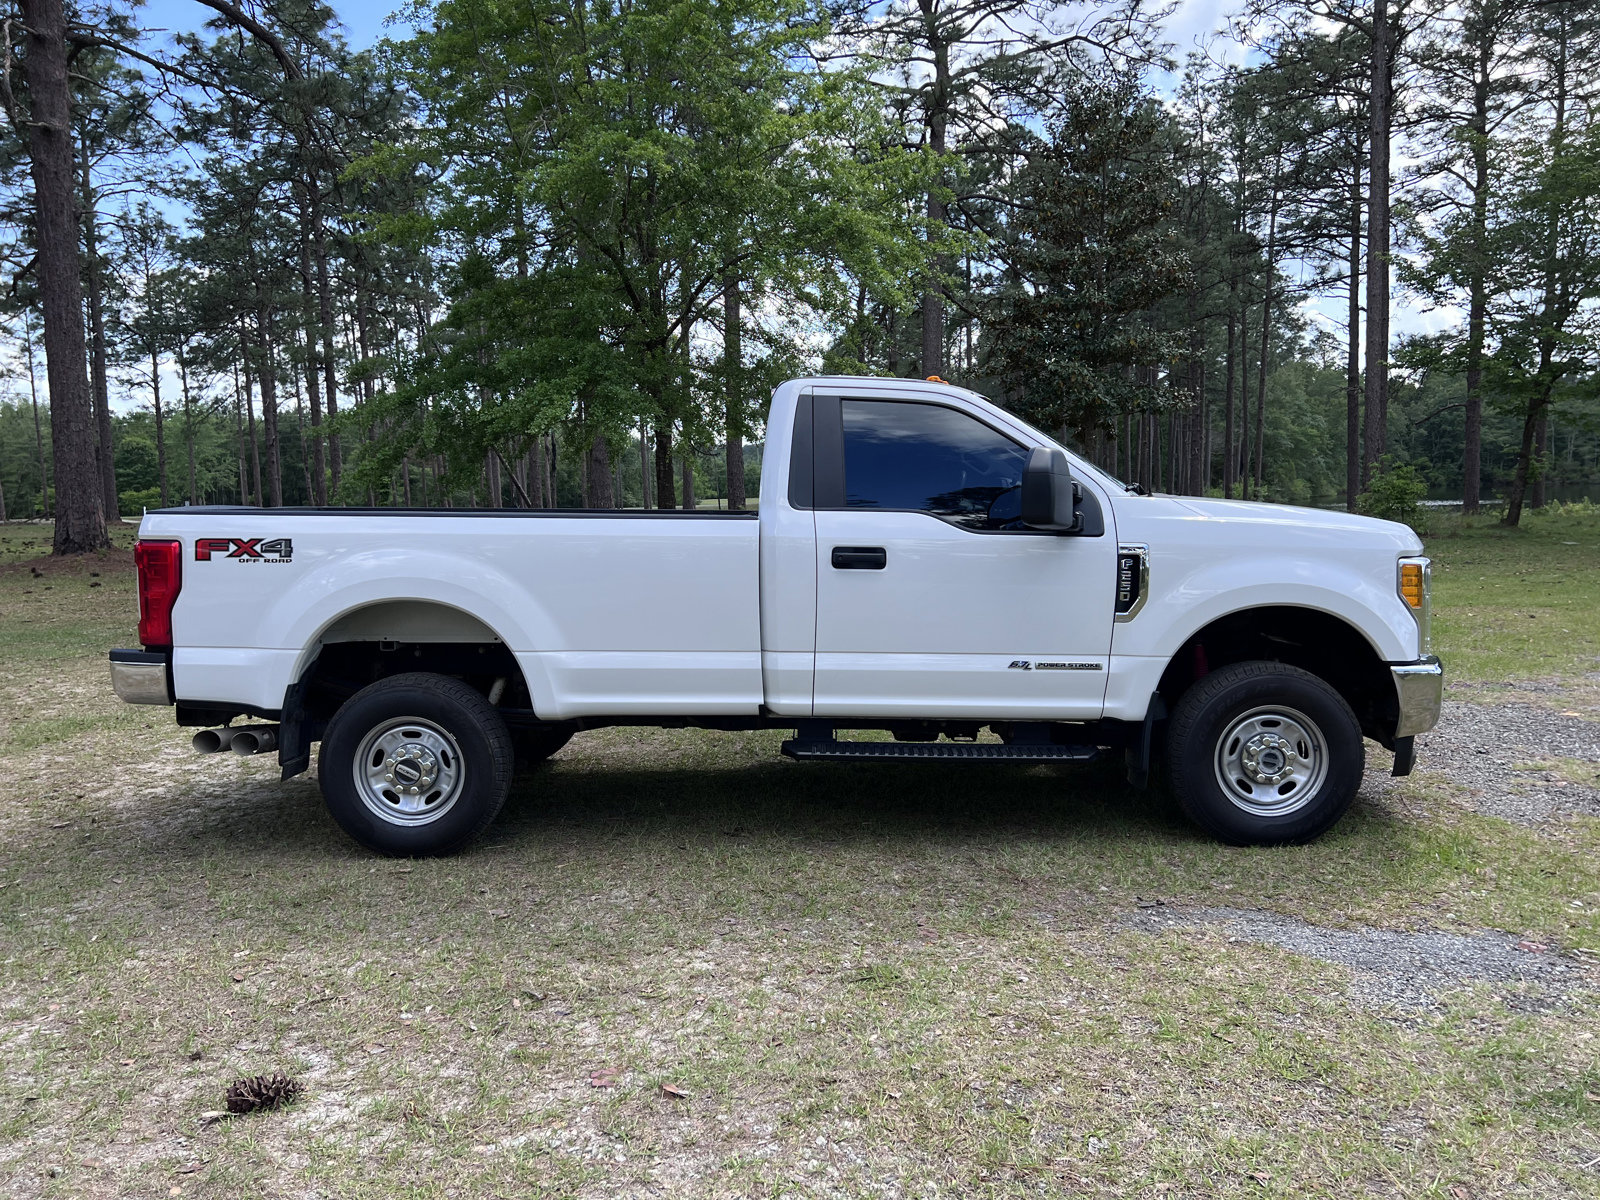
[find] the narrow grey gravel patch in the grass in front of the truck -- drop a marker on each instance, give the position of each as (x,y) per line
(1399,972)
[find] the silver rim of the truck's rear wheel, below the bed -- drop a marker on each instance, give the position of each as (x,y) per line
(409,772)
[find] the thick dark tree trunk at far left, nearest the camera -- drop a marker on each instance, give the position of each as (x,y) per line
(81,500)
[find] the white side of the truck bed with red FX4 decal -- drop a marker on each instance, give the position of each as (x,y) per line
(607,612)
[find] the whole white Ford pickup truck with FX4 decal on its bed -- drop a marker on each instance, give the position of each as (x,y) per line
(922,564)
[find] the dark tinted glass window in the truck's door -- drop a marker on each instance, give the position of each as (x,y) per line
(934,460)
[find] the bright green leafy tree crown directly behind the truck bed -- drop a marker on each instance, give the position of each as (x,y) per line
(602,174)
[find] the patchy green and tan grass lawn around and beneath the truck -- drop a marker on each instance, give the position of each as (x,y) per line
(889,982)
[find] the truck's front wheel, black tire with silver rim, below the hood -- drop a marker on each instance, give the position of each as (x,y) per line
(1292,762)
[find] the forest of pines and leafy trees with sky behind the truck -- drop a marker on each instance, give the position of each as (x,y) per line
(558,252)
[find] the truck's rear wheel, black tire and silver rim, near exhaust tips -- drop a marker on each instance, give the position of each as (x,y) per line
(460,737)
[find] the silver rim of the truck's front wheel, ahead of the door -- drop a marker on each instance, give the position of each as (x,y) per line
(1271,761)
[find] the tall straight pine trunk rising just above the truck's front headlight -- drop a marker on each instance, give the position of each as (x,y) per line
(1378,242)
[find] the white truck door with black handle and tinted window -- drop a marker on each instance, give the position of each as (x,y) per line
(932,601)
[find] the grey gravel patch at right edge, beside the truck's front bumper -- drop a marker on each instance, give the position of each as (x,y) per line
(1482,746)
